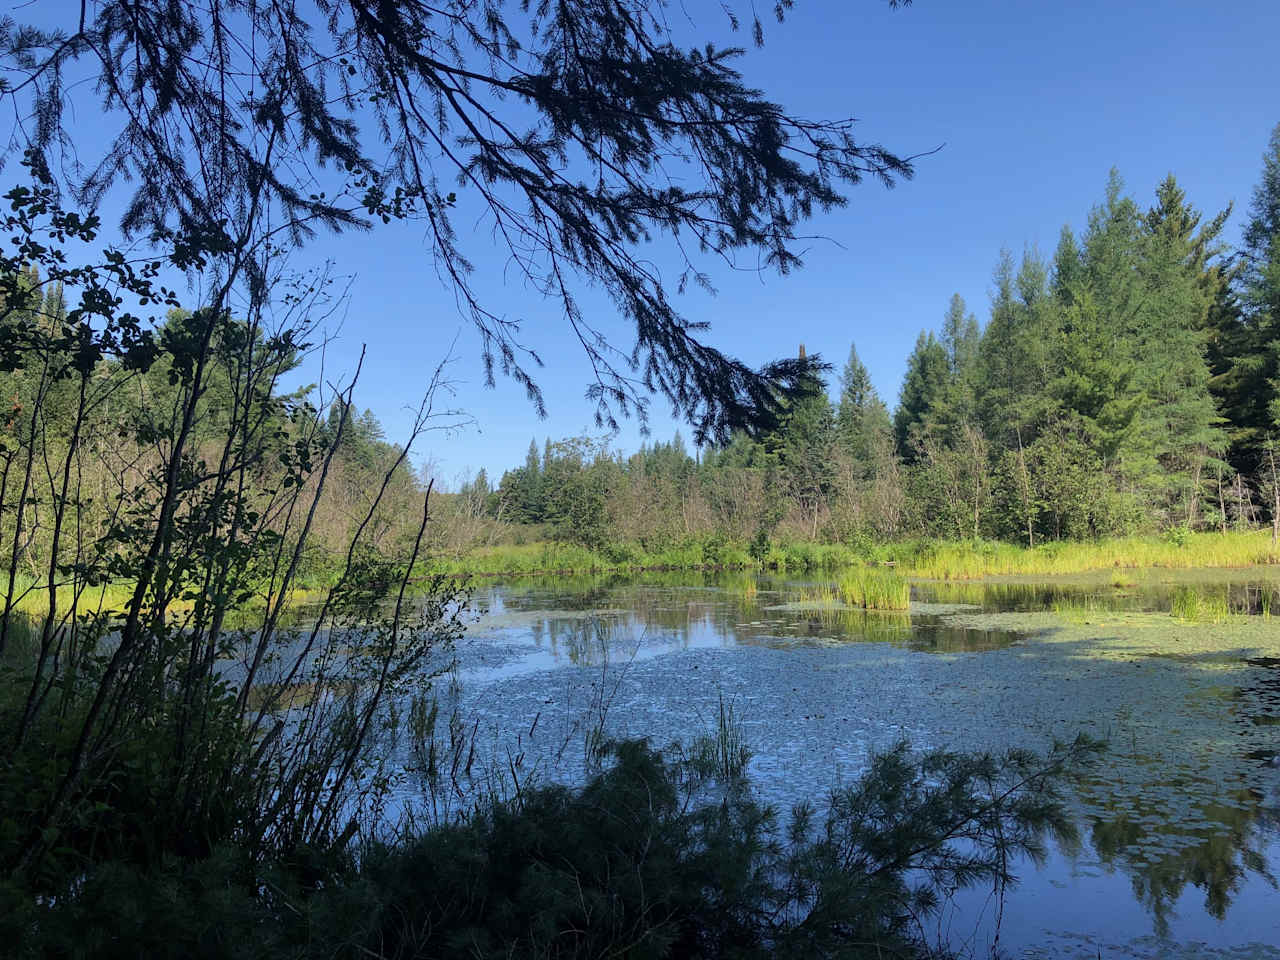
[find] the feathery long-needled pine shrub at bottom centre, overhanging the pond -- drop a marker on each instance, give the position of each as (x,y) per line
(634,863)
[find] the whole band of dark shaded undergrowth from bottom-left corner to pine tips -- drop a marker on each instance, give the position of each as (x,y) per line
(643,862)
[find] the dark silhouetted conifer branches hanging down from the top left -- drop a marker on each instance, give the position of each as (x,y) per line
(578,130)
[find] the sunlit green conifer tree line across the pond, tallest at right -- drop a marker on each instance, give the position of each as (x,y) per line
(1130,382)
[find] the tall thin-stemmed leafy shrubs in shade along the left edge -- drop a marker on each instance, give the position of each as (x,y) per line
(177,488)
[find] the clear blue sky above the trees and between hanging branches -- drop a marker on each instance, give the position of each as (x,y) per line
(1032,104)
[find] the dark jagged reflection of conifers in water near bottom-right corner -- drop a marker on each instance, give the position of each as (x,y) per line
(1163,854)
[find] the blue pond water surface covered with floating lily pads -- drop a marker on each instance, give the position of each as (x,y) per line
(1180,821)
